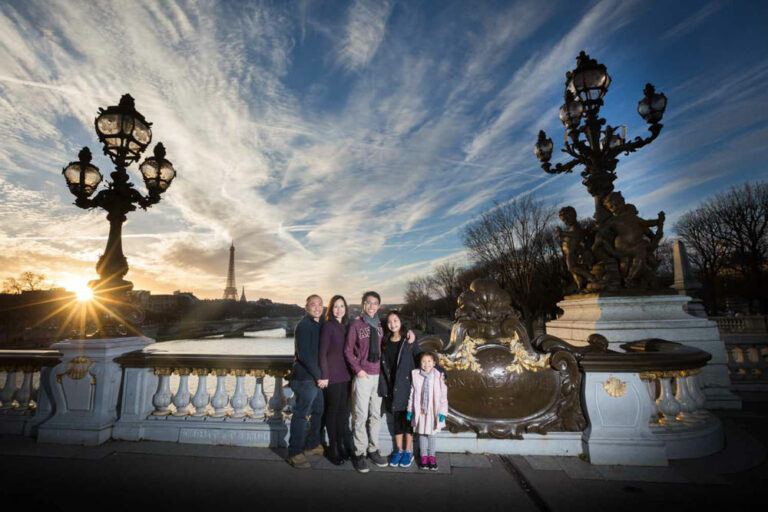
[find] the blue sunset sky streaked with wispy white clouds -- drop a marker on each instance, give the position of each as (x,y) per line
(344,145)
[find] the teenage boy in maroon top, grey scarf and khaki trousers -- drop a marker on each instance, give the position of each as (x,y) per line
(363,354)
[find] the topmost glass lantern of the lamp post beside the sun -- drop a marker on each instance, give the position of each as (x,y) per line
(123,131)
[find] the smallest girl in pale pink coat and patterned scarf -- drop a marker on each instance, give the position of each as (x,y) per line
(427,407)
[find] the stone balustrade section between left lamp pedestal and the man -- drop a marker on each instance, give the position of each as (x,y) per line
(204,398)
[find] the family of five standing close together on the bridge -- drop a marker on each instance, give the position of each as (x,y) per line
(337,359)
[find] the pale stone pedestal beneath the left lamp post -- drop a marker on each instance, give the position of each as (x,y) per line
(85,388)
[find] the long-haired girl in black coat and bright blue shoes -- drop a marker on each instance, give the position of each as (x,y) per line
(397,362)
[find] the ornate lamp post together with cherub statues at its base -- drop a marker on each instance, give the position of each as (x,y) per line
(616,252)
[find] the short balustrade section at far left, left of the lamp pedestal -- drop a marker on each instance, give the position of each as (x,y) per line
(22,405)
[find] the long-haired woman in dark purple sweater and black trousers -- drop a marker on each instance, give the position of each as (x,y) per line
(335,376)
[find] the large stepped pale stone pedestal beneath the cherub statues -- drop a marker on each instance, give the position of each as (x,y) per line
(623,319)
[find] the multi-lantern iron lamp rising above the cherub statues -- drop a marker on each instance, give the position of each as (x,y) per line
(588,139)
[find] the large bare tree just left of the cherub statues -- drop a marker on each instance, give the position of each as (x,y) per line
(514,241)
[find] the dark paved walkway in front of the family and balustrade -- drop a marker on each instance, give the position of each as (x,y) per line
(125,475)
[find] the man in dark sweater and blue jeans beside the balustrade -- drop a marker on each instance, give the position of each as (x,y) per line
(304,383)
